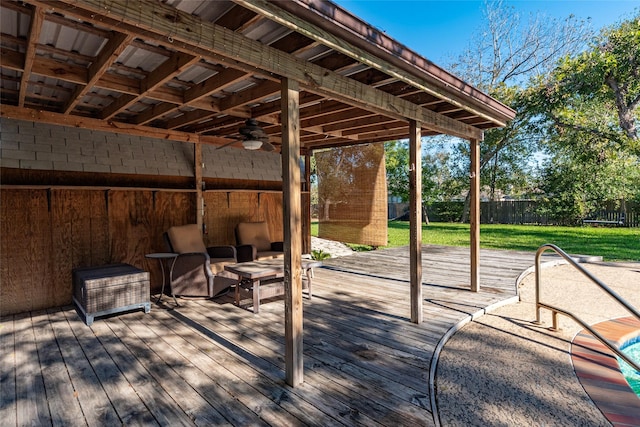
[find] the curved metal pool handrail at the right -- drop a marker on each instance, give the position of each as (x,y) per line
(556,310)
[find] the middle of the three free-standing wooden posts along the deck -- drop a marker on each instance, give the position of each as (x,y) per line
(415,220)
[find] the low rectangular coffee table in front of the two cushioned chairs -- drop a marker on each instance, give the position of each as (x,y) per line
(265,279)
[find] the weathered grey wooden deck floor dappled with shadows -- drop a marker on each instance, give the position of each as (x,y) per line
(212,363)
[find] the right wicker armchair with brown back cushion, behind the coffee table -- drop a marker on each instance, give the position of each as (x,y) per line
(254,242)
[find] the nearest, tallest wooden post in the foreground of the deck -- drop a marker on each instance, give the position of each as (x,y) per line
(292,231)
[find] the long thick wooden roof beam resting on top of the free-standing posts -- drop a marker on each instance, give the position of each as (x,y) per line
(156,20)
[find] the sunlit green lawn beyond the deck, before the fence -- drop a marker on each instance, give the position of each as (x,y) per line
(612,243)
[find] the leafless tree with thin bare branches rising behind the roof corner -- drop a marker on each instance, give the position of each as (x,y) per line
(503,57)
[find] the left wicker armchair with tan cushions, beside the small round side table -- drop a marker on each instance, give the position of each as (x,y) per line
(199,270)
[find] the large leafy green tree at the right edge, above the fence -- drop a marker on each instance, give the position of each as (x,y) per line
(587,111)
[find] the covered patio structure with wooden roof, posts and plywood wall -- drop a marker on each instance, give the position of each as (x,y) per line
(122,118)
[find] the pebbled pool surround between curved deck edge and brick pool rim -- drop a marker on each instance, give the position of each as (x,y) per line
(502,370)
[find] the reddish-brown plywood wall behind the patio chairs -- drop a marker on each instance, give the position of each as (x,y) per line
(48,232)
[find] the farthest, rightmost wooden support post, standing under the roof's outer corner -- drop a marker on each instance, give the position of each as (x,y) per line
(474,214)
